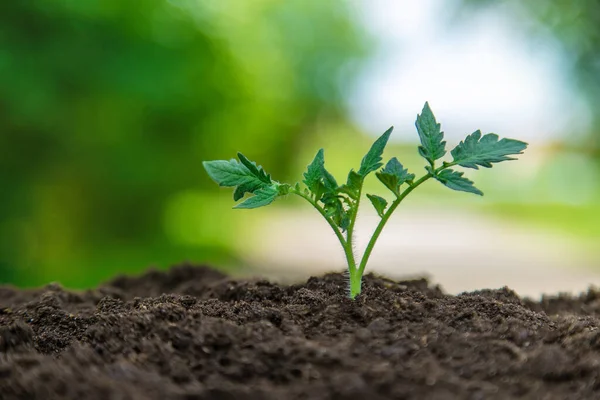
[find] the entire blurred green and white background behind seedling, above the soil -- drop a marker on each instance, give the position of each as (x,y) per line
(107,109)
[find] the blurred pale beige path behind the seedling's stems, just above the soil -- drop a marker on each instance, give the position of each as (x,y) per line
(458,250)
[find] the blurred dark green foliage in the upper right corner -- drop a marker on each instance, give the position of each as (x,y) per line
(576,26)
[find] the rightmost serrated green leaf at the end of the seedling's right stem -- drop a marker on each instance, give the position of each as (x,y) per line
(477,150)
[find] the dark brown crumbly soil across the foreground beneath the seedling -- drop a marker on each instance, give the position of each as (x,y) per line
(192,333)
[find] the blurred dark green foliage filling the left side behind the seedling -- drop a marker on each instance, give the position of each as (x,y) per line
(107,109)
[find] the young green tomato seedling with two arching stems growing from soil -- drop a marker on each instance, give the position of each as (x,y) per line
(338,203)
